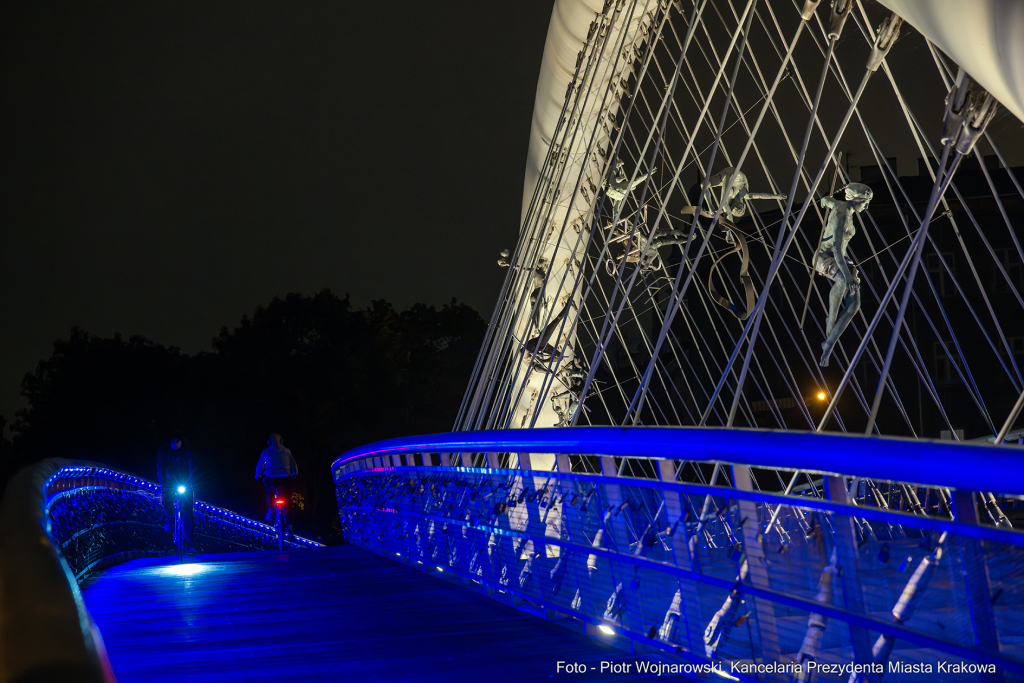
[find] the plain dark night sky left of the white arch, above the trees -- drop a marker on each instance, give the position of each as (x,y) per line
(173,166)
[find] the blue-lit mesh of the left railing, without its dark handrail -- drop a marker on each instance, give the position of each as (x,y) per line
(99,517)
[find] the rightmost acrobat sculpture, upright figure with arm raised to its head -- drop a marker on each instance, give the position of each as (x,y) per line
(832,262)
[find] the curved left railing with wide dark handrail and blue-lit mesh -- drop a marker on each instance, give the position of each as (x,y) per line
(60,522)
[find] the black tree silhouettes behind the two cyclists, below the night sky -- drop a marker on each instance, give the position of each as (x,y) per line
(326,376)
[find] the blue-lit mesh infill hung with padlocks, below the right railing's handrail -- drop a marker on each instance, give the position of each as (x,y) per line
(712,575)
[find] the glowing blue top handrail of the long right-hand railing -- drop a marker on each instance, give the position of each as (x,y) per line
(947,464)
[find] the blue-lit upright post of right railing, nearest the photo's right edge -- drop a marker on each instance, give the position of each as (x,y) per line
(975,573)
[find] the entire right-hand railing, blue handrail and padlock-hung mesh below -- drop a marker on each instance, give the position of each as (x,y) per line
(812,554)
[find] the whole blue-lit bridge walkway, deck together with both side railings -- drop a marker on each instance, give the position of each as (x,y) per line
(769,552)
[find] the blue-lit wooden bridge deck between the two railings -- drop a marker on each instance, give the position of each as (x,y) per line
(329,615)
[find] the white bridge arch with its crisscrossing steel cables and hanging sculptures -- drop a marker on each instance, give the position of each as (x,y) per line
(697,248)
